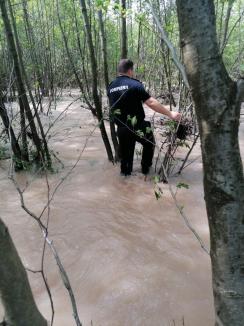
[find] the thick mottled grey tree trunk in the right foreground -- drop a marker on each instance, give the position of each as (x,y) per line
(217,101)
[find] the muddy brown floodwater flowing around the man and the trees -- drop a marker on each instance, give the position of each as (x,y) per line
(130,258)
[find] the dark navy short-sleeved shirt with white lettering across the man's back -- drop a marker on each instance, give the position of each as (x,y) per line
(126,96)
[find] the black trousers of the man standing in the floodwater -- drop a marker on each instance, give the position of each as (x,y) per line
(127,141)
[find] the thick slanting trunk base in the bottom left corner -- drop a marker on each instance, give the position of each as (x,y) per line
(19,305)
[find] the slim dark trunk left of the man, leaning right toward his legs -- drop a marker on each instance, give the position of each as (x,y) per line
(97,101)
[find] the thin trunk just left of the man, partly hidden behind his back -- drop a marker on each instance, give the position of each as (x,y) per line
(106,78)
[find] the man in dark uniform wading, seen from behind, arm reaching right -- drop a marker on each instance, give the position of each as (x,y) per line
(126,96)
